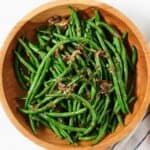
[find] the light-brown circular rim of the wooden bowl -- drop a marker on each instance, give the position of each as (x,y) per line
(45,7)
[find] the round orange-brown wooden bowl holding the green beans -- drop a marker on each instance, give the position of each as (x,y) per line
(10,90)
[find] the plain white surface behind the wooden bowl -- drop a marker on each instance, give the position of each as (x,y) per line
(11,11)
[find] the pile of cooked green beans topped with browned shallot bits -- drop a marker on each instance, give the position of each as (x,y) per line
(76,77)
